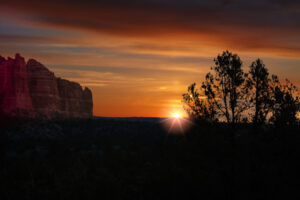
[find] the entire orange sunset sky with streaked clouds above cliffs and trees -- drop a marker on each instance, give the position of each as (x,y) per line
(138,57)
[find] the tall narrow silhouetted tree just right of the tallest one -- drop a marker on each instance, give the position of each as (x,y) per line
(258,83)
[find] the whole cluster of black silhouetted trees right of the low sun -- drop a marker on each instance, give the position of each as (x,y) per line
(227,93)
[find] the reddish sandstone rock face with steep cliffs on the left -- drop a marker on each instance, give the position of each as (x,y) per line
(30,90)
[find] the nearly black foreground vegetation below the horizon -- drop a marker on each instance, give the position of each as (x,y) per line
(113,159)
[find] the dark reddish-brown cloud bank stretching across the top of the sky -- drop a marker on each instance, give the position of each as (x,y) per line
(257,25)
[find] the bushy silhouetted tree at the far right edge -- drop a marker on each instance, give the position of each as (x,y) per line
(285,102)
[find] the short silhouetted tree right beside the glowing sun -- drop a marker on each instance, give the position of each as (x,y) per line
(199,108)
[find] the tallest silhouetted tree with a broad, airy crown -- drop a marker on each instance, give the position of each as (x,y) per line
(226,87)
